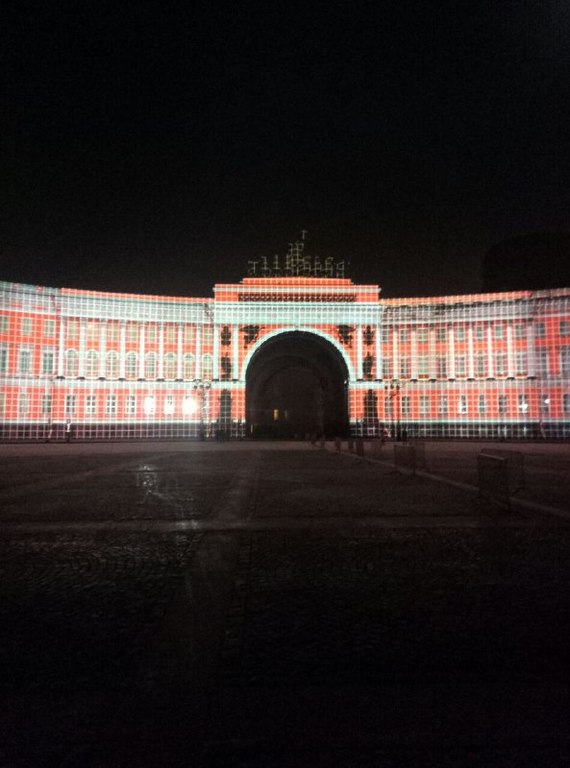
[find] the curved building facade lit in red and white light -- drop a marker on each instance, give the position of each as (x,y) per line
(119,366)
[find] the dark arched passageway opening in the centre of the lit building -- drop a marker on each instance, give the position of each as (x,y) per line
(296,384)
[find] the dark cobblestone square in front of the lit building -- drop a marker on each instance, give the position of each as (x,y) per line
(275,605)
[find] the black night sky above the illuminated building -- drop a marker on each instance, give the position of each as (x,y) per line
(156,147)
